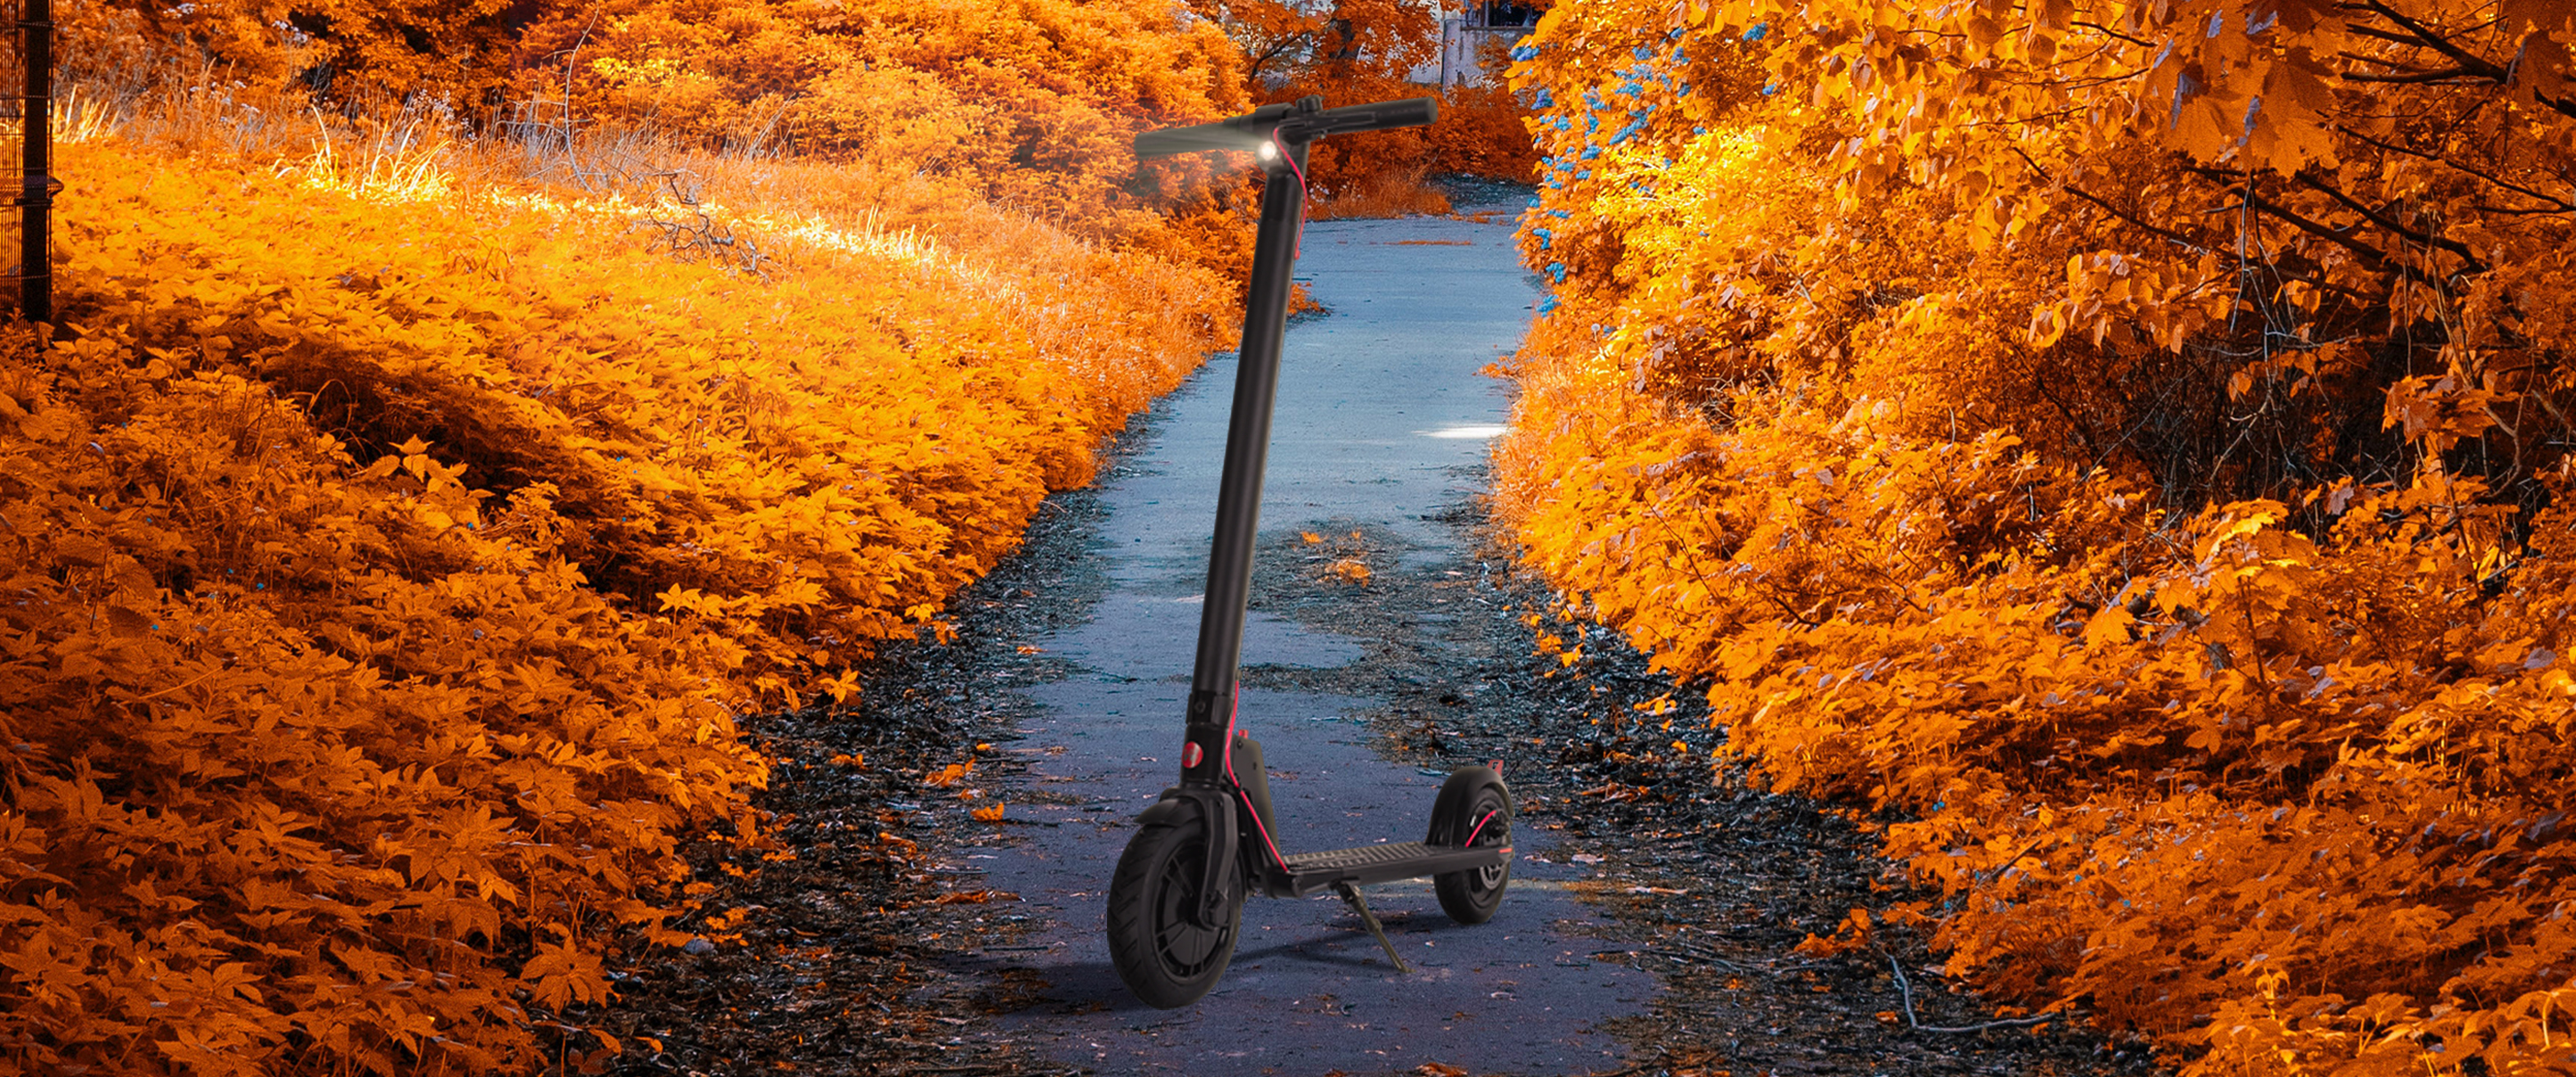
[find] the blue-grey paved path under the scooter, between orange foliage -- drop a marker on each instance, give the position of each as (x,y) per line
(1379,424)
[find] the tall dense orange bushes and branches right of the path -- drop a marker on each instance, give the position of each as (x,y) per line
(2126,444)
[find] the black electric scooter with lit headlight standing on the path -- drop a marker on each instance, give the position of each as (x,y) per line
(1207,844)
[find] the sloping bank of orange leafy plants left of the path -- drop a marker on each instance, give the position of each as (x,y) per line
(385,591)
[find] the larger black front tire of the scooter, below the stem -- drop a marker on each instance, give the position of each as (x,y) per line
(1160,955)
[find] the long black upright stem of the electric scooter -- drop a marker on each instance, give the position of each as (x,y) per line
(1240,486)
